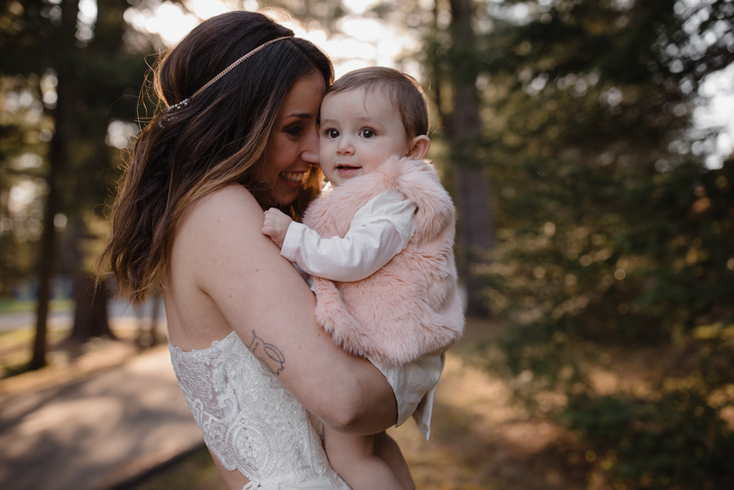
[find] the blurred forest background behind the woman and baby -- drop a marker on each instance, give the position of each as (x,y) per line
(595,208)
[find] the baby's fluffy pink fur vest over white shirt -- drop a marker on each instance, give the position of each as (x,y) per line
(411,306)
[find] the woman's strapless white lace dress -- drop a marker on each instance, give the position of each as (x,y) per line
(250,421)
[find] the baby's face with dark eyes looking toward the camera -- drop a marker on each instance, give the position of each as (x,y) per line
(359,130)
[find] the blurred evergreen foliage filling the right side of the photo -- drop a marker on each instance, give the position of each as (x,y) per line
(613,235)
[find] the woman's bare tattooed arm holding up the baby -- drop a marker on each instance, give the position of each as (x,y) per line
(266,302)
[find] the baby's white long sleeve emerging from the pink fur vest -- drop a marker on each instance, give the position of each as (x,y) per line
(378,232)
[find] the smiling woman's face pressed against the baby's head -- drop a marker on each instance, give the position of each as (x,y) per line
(293,145)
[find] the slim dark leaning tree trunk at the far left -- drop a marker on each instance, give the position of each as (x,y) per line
(57,159)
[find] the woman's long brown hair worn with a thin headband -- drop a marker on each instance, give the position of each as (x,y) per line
(213,141)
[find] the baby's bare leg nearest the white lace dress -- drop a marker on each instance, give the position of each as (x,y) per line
(353,457)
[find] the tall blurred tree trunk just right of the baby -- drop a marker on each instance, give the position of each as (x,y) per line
(473,196)
